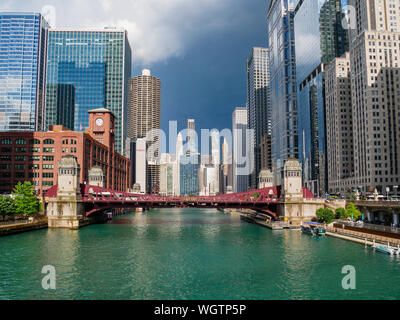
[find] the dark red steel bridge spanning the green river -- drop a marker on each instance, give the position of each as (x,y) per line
(98,199)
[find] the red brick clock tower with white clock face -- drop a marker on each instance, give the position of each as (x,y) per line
(102,126)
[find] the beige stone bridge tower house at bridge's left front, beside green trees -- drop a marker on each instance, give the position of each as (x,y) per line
(67,209)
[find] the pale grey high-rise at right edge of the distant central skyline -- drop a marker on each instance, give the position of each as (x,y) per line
(239,152)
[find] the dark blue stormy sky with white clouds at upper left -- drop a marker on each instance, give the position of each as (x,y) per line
(198,48)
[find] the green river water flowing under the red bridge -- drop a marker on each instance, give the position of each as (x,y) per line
(190,254)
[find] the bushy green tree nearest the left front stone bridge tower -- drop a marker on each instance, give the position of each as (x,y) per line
(26,202)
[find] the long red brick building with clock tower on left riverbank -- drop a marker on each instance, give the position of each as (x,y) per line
(34,156)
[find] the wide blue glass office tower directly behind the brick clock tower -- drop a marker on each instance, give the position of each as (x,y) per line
(88,69)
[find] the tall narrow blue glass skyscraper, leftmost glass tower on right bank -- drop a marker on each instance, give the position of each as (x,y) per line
(282,64)
